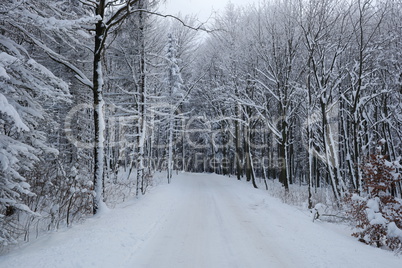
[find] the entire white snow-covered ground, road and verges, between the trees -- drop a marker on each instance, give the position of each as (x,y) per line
(201,220)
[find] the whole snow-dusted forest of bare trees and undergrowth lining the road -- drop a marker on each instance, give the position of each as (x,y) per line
(97,96)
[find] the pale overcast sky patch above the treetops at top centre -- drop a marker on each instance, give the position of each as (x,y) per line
(201,8)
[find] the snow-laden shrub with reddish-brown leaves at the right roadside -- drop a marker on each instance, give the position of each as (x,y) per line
(377,214)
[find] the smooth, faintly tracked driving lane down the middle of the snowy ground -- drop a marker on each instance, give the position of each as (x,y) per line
(211,227)
